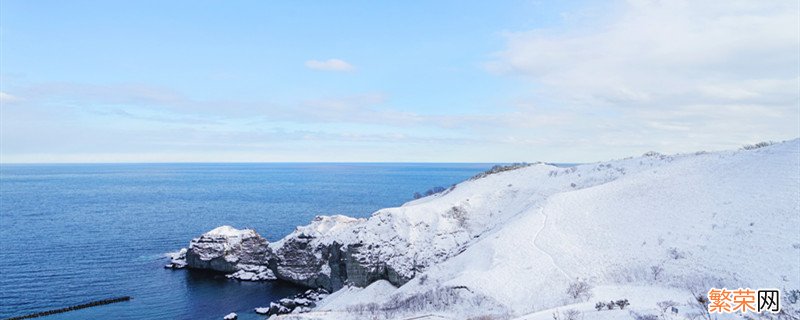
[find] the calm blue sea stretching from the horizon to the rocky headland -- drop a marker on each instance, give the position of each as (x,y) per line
(70,234)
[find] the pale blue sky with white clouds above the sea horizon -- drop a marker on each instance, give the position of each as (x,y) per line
(393,81)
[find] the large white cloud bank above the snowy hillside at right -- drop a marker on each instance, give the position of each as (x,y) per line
(674,73)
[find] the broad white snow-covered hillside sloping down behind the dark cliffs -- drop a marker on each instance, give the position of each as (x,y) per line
(654,227)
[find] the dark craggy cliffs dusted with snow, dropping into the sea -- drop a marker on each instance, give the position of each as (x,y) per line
(309,256)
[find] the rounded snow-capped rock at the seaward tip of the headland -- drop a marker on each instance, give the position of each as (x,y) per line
(227,249)
